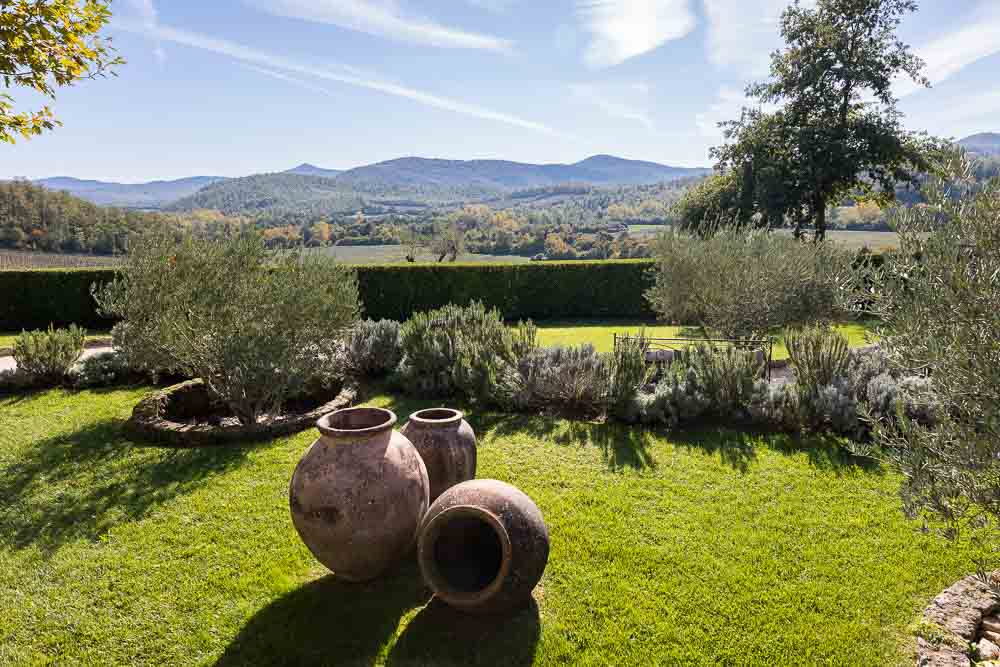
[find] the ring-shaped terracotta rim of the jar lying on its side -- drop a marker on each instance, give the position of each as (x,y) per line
(437,581)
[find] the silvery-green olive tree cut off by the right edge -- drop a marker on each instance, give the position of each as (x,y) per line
(939,299)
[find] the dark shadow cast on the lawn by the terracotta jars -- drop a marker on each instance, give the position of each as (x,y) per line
(330,622)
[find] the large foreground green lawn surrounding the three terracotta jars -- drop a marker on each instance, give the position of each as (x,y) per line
(708,547)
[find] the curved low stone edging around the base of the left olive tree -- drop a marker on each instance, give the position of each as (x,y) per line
(148,423)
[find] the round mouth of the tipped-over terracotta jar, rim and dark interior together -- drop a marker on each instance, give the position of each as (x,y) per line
(465,554)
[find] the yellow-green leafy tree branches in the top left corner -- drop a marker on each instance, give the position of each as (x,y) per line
(45,44)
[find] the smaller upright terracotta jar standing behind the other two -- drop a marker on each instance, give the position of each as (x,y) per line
(447,445)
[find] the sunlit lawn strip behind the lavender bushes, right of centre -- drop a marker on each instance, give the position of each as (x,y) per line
(600,333)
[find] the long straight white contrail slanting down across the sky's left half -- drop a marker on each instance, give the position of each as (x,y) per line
(332,72)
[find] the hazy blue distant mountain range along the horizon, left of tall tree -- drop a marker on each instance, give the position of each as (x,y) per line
(403,175)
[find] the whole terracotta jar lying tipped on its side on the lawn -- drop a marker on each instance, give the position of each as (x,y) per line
(483,547)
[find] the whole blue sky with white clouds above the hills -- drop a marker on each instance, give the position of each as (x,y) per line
(233,87)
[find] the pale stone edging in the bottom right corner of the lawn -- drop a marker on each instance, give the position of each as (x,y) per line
(956,613)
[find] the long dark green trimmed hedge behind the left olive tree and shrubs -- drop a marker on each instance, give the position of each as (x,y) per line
(33,299)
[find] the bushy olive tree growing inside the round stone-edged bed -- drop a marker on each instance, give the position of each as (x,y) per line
(252,325)
